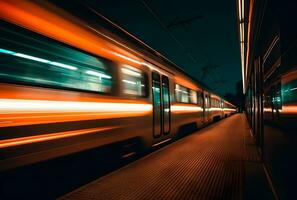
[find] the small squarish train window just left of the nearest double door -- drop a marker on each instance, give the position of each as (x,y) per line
(133,81)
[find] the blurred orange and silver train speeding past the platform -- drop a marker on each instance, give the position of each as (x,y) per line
(68,86)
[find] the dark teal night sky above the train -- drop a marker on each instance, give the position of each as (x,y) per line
(206,33)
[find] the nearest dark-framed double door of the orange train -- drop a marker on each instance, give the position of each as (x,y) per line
(161,105)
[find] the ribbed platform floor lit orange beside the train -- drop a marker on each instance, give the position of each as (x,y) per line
(217,162)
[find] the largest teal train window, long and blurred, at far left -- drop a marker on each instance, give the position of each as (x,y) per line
(32,59)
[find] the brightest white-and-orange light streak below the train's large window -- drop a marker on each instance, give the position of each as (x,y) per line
(16,112)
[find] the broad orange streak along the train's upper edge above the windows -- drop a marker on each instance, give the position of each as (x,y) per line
(63,27)
